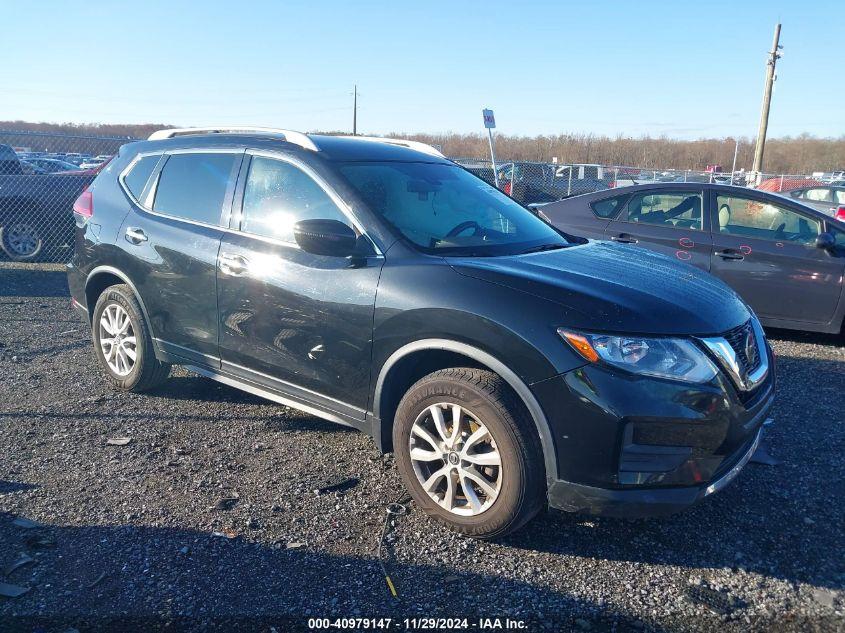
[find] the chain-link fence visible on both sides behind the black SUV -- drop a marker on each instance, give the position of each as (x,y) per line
(42,174)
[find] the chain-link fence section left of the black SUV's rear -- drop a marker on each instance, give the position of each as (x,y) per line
(41,175)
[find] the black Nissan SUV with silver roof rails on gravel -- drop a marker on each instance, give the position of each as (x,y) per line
(376,284)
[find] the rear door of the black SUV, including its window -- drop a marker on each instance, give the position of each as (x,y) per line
(172,237)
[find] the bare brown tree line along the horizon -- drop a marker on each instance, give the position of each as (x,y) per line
(786,155)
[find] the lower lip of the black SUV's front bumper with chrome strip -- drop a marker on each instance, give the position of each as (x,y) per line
(641,502)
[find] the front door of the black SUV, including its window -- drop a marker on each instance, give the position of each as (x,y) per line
(290,320)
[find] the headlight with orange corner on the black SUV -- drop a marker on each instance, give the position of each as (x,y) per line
(673,358)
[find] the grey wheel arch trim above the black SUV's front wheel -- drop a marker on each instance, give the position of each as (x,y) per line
(494,364)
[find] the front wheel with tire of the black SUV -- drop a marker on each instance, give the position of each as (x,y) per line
(486,402)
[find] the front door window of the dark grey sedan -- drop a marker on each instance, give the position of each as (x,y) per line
(762,220)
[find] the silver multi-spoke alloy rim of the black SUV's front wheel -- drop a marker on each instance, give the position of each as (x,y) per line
(455,459)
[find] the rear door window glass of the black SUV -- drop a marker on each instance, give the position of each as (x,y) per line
(193,186)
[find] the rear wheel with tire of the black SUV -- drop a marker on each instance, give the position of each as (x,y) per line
(146,371)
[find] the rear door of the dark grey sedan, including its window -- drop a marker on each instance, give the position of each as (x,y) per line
(669,221)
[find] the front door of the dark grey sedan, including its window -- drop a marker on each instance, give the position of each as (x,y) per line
(767,252)
